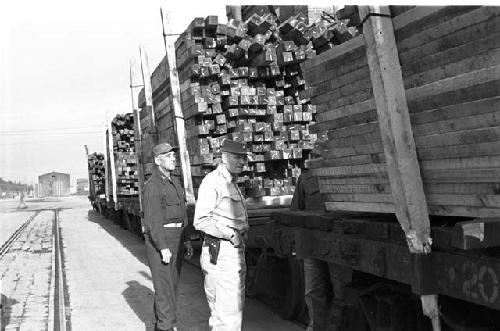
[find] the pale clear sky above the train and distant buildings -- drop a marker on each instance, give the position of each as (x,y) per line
(64,73)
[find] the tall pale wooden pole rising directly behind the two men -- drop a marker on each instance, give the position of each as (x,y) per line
(180,129)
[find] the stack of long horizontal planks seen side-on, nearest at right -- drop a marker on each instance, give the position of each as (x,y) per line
(450,63)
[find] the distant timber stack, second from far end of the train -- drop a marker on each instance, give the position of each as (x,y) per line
(122,131)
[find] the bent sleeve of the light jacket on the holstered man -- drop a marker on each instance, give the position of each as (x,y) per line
(203,215)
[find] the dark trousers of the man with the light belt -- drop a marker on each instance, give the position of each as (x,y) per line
(166,278)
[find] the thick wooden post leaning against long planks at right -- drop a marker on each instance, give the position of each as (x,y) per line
(397,136)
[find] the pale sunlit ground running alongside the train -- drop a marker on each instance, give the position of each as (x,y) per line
(108,280)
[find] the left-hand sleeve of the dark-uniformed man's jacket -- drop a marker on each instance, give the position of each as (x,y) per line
(153,216)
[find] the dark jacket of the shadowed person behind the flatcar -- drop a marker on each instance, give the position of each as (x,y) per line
(307,195)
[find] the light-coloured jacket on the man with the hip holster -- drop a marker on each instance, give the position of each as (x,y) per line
(220,208)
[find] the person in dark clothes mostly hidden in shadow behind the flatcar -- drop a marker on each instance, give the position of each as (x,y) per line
(324,282)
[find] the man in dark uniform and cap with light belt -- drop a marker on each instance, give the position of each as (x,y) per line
(165,219)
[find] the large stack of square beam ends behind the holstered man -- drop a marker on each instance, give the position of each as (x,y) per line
(242,81)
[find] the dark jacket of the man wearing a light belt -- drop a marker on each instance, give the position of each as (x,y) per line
(163,203)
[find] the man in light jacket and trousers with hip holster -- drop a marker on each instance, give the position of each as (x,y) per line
(221,214)
